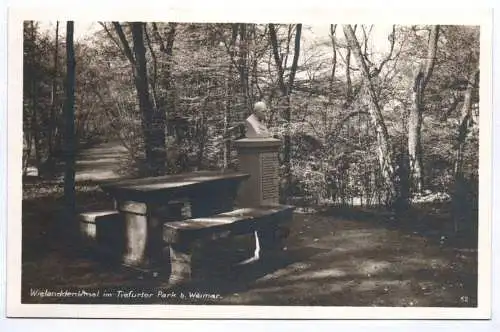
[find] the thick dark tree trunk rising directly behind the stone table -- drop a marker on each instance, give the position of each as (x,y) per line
(153,121)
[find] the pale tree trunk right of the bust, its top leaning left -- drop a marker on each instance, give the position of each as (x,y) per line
(384,150)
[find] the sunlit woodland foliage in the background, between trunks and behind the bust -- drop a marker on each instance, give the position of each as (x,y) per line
(205,78)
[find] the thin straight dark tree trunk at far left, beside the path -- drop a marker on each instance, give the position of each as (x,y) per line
(69,140)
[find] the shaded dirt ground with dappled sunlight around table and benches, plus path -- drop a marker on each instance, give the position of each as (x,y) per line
(331,257)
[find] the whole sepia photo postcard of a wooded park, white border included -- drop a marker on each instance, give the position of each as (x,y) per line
(249,164)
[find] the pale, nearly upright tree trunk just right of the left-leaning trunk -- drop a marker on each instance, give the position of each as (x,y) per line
(416,113)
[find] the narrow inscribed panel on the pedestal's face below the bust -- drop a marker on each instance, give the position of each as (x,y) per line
(269,177)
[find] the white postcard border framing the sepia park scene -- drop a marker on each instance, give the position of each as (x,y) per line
(471,16)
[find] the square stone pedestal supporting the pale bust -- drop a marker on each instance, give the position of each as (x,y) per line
(259,158)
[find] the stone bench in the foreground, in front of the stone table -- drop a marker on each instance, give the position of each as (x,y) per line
(268,223)
